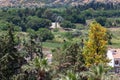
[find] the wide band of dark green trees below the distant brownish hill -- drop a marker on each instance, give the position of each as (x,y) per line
(35,18)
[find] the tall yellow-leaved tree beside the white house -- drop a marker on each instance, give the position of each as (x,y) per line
(95,47)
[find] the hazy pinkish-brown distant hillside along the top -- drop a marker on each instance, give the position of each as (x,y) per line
(39,3)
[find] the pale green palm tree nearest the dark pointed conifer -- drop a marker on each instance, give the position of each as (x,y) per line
(39,67)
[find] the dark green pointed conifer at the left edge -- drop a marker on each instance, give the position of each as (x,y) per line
(10,60)
